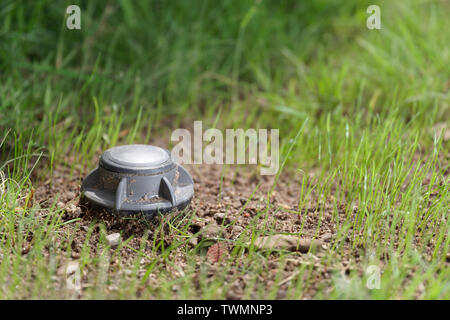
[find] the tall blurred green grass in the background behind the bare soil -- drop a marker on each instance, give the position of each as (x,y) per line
(258,63)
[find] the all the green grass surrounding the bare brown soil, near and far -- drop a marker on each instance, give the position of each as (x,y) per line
(359,113)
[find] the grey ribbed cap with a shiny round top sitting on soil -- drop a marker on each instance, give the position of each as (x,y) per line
(138,178)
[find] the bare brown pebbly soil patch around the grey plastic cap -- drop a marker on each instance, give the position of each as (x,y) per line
(230,204)
